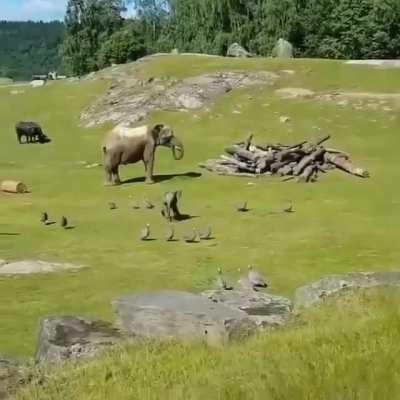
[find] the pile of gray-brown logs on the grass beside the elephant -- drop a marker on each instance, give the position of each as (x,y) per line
(303,161)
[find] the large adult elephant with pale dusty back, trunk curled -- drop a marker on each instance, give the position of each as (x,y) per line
(124,145)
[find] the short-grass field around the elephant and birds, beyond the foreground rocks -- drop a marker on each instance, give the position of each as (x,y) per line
(341,224)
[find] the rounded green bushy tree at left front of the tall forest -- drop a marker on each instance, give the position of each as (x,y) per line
(124,45)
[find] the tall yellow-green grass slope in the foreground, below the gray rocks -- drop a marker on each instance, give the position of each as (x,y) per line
(346,350)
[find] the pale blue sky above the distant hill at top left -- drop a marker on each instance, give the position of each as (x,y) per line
(34,10)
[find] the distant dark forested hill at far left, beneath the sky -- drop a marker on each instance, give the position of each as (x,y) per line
(28,48)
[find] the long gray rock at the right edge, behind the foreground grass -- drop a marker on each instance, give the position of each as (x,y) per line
(314,294)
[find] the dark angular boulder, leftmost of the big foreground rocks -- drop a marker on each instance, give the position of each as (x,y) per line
(71,338)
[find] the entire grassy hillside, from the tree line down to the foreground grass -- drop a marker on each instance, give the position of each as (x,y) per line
(341,224)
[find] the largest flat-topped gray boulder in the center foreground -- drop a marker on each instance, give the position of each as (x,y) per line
(173,315)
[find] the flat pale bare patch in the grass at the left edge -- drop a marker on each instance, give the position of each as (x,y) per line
(33,267)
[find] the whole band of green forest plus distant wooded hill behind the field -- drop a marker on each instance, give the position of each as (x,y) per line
(96,34)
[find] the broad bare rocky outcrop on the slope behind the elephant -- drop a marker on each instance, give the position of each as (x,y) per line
(130,99)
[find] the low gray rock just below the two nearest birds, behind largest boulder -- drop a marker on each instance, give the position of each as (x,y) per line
(266,310)
